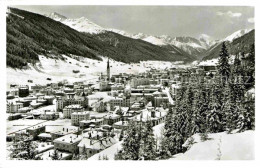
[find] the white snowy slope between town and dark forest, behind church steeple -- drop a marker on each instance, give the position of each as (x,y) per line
(59,70)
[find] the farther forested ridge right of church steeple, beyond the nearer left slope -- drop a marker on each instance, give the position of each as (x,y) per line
(135,49)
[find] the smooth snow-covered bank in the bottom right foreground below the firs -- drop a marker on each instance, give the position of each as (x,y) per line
(223,146)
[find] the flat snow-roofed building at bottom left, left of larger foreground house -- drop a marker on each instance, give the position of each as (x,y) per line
(68,143)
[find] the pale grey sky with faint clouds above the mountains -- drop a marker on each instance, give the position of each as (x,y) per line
(215,21)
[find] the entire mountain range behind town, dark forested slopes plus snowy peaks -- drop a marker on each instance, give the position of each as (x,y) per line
(30,34)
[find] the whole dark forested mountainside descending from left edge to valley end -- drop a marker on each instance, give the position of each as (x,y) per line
(30,35)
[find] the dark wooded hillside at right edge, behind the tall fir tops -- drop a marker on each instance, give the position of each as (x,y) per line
(240,44)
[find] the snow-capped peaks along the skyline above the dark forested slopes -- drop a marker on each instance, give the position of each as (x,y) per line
(193,46)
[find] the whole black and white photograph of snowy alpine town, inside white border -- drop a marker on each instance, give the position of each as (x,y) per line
(129,82)
